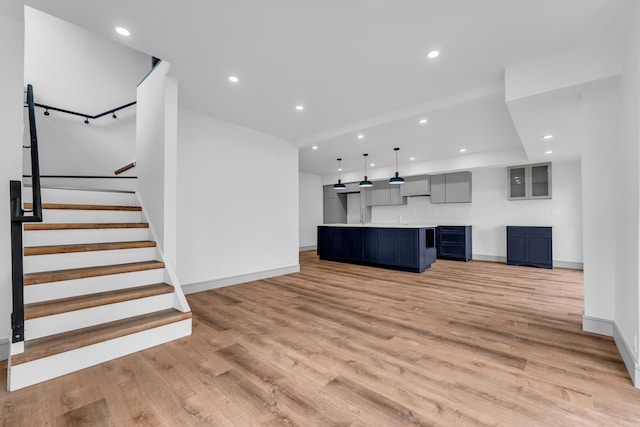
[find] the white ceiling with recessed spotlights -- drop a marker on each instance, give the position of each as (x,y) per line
(358,66)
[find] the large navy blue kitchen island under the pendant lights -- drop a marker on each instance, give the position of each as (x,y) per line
(407,248)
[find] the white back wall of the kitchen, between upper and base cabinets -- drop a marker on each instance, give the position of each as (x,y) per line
(490,211)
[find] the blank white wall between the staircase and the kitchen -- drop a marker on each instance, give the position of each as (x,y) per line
(237,202)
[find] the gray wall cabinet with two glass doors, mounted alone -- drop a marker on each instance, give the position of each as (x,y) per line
(529,181)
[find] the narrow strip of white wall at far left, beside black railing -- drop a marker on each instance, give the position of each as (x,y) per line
(11,127)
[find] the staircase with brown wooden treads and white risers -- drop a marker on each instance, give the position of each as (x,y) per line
(95,287)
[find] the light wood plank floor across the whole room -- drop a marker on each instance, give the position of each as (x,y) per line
(462,344)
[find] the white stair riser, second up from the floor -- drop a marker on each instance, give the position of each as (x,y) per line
(78,319)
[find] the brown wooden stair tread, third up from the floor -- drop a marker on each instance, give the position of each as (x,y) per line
(80,273)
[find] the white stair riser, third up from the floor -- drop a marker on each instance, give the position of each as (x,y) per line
(91,285)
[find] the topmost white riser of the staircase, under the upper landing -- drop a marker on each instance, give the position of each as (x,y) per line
(56,195)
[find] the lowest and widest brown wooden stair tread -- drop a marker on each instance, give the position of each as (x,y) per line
(67,341)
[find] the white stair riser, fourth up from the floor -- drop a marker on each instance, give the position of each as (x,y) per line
(37,263)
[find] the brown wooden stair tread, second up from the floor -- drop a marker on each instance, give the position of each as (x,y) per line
(64,305)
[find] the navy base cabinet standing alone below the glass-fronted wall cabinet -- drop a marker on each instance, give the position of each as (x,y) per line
(529,246)
